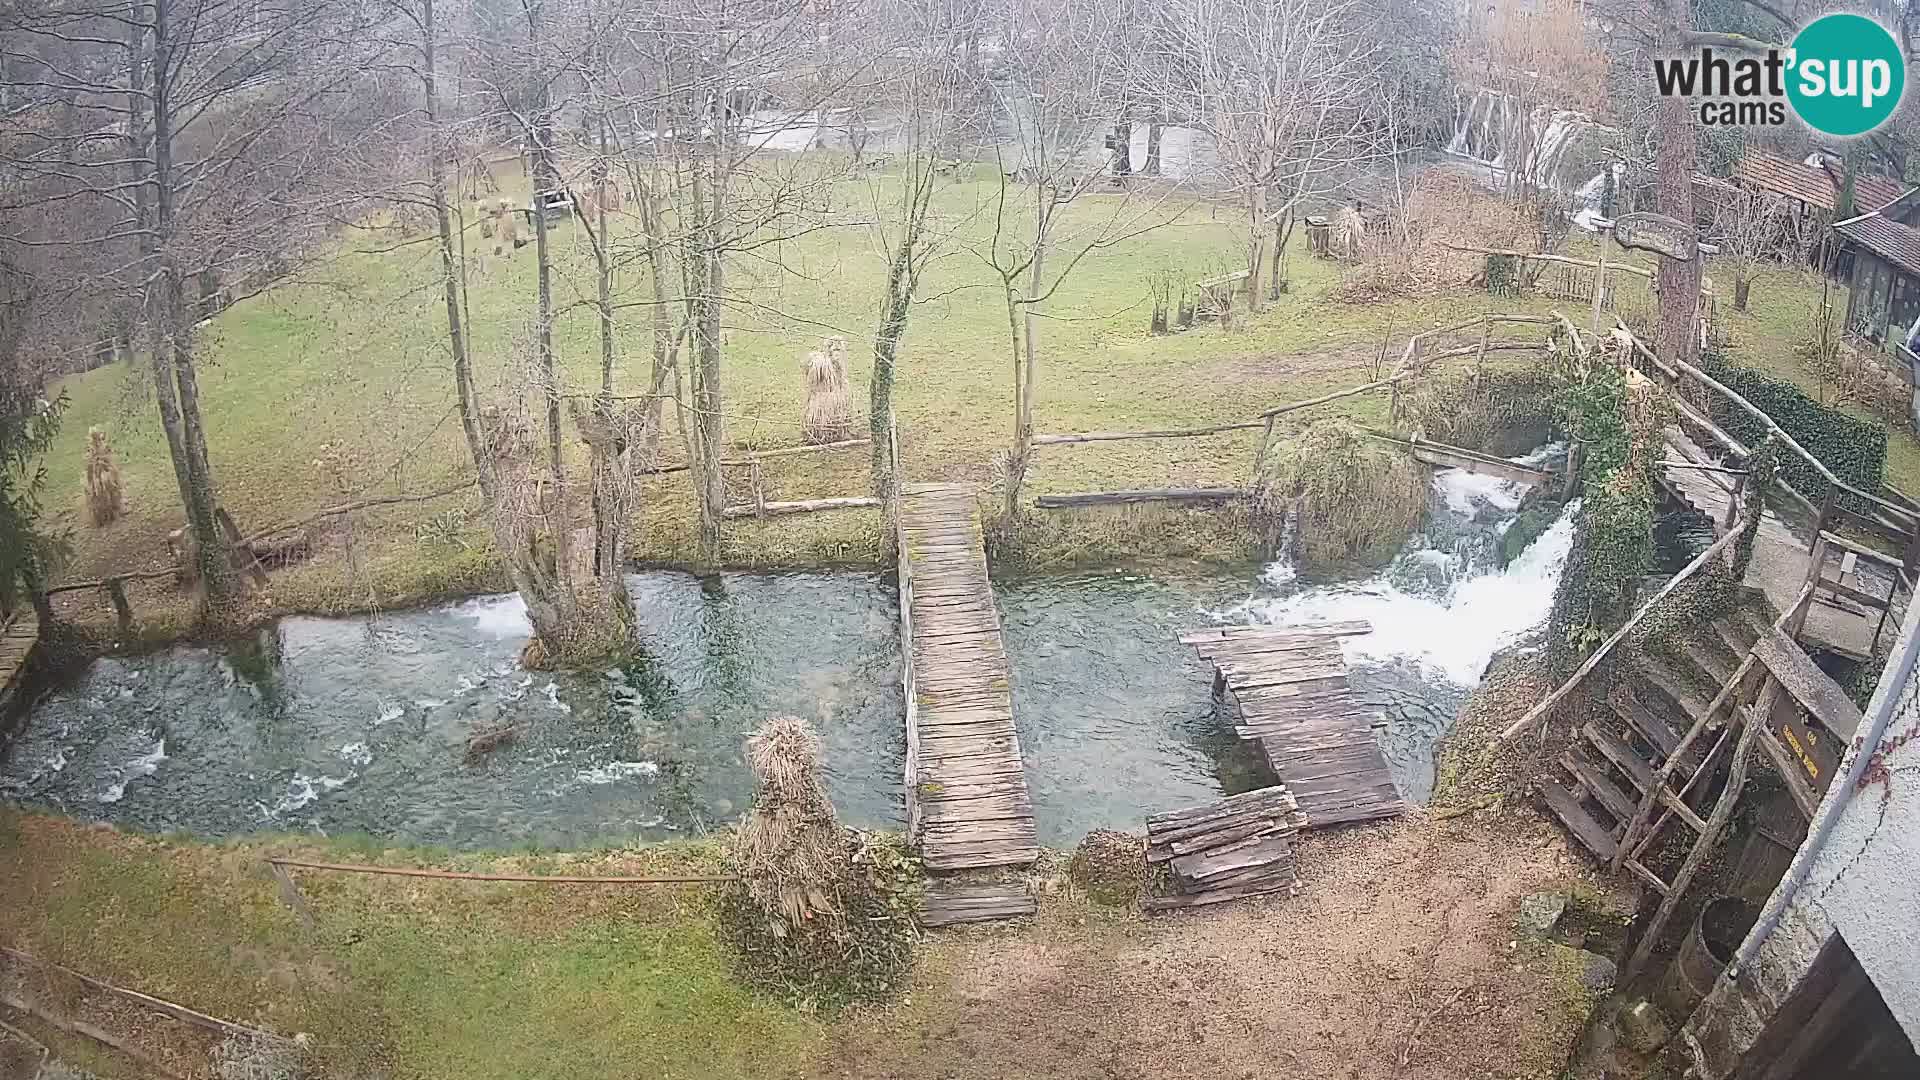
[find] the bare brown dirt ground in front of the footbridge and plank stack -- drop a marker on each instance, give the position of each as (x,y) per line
(1397,933)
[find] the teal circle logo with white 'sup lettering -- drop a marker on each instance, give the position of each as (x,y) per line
(1846,76)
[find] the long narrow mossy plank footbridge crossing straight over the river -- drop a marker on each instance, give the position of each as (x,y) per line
(967,791)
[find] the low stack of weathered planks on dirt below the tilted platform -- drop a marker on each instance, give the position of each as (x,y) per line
(1230,850)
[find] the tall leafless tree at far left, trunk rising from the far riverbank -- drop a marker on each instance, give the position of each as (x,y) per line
(208,172)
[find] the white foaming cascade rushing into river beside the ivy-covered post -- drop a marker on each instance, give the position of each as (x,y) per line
(1445,604)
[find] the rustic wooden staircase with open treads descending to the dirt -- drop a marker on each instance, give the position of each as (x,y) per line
(1620,760)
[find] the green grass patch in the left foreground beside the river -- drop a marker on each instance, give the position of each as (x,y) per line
(404,977)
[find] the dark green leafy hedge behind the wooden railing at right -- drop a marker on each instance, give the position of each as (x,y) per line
(1854,449)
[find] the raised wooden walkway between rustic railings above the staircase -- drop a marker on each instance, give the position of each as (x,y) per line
(1781,560)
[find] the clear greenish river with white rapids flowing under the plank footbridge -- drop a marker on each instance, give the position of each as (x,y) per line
(360,725)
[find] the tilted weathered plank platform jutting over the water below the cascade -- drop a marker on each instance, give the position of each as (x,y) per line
(1295,702)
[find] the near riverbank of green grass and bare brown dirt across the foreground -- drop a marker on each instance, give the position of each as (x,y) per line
(1393,954)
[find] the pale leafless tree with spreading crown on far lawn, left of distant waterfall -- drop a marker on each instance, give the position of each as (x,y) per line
(1289,95)
